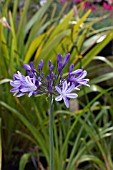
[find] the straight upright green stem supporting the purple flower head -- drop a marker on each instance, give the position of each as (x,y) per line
(51,134)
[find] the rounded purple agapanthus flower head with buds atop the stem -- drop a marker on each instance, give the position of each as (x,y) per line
(54,83)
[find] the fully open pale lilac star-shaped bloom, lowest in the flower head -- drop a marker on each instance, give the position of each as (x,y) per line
(65,93)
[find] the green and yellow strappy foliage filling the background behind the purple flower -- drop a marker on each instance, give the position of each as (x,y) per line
(81,137)
